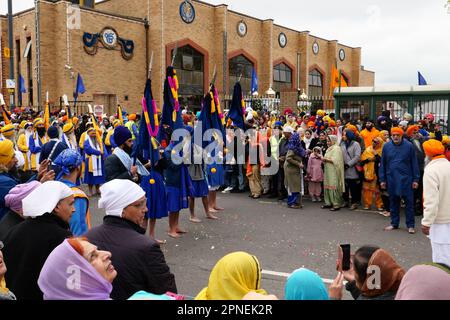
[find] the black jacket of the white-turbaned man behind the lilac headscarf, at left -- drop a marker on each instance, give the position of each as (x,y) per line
(27,246)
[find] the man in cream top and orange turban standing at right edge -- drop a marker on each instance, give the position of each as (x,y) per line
(436,196)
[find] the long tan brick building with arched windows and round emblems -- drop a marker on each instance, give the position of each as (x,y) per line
(110,46)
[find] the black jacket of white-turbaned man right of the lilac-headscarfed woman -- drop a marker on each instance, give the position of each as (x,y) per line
(139,261)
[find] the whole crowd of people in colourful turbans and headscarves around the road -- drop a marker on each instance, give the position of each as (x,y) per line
(48,242)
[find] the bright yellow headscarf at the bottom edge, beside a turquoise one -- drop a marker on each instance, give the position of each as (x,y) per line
(233,276)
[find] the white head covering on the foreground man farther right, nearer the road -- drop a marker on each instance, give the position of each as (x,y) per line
(117,195)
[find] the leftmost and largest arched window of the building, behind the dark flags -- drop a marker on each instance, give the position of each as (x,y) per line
(190,71)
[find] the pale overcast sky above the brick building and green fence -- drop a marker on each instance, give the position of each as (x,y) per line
(398,38)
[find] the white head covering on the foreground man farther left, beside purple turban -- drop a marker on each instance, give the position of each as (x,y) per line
(45,198)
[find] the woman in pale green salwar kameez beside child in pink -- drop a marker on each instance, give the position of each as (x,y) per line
(334,183)
